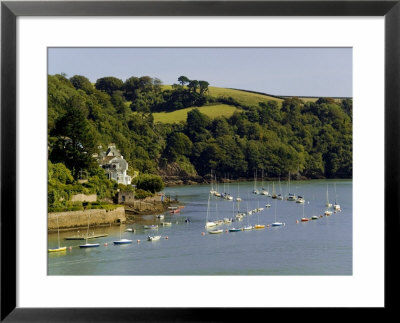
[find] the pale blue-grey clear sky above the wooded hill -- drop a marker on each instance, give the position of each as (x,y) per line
(320,72)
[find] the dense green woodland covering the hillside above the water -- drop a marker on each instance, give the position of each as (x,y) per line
(312,139)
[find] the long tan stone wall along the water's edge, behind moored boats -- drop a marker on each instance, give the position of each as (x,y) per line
(75,219)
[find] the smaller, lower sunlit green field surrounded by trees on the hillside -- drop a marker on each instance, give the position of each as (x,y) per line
(212,111)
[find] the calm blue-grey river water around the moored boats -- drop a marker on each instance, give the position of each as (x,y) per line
(319,247)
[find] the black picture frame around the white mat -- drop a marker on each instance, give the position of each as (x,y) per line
(10,10)
